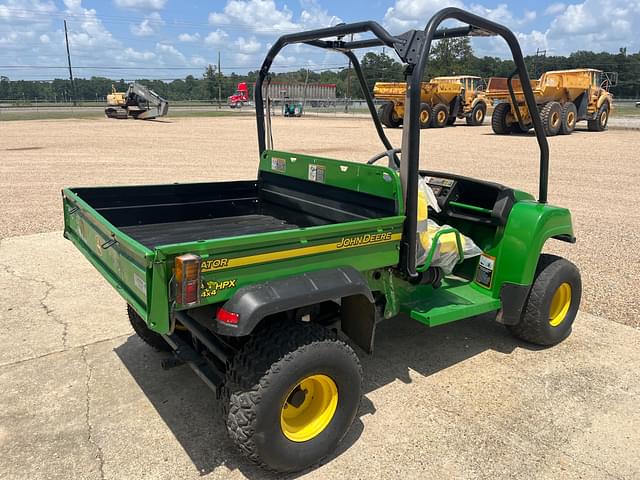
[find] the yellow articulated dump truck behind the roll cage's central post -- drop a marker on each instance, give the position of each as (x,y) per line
(444,99)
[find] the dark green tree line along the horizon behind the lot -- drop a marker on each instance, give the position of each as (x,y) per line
(448,57)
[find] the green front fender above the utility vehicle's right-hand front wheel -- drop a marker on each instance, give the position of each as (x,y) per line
(529,226)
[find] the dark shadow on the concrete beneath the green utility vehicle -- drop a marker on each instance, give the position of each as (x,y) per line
(189,408)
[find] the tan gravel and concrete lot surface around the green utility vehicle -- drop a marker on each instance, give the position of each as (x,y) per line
(84,398)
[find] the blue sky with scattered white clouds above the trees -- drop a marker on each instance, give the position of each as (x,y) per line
(170,38)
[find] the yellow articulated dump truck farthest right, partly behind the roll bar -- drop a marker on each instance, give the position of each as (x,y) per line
(563,97)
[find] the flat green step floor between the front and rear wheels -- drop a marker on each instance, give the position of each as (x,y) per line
(454,300)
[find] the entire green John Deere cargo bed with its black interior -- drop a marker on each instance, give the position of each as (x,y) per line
(301,214)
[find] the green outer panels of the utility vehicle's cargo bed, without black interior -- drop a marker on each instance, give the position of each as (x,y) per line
(144,277)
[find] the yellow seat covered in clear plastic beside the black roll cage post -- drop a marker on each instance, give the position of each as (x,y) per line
(445,255)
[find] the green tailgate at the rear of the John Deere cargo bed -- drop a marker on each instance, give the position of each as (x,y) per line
(125,263)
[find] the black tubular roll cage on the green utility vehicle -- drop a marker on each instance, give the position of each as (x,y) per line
(412,47)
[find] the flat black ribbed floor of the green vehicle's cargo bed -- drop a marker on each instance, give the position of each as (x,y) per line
(156,234)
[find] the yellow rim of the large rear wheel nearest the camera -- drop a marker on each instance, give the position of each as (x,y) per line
(309,408)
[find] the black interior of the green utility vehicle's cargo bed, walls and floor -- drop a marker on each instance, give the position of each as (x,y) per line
(157,215)
